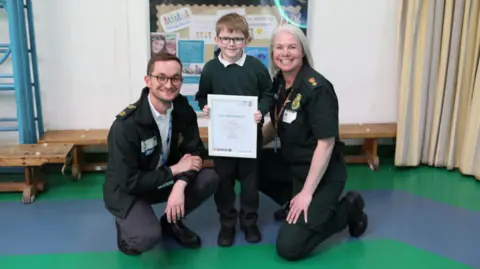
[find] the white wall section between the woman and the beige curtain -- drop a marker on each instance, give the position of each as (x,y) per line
(354,47)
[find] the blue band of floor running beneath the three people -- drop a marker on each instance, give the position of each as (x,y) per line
(85,225)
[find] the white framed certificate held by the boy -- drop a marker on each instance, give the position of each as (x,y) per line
(232,129)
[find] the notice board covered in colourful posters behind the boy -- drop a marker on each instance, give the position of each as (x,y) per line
(186,28)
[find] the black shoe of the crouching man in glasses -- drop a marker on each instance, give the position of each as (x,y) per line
(180,233)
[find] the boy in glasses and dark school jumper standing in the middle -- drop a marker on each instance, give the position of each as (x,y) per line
(235,73)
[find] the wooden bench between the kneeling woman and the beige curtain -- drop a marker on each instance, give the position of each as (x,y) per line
(371,133)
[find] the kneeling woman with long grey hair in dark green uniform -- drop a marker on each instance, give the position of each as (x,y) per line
(305,121)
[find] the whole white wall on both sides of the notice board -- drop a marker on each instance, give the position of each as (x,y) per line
(100,61)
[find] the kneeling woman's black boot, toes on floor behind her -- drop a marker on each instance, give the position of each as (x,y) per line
(357,218)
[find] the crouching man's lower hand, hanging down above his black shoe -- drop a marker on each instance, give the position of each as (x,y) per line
(175,209)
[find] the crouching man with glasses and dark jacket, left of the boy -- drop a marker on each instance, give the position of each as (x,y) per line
(155,155)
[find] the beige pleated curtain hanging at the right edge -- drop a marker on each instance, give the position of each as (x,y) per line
(439,84)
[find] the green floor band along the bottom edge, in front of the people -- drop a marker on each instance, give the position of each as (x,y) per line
(368,254)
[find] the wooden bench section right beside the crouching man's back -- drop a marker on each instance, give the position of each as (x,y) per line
(80,140)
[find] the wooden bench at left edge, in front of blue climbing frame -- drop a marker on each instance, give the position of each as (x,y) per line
(31,158)
